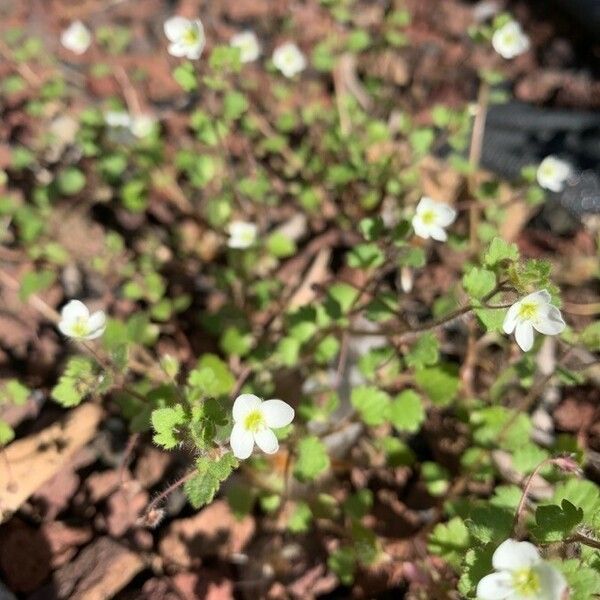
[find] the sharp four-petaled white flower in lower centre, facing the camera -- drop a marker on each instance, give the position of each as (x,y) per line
(253,422)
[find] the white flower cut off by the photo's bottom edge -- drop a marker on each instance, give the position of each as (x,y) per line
(521,575)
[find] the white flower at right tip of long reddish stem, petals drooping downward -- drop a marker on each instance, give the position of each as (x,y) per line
(533,312)
